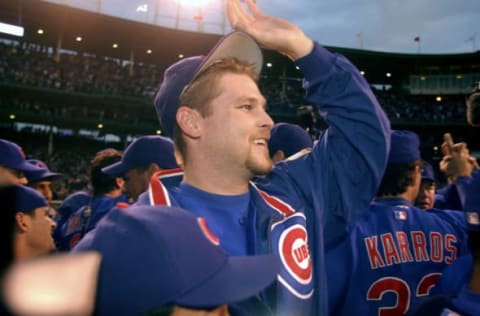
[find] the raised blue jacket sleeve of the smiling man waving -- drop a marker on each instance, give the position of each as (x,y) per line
(340,177)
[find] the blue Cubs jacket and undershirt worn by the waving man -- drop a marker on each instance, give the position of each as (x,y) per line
(303,204)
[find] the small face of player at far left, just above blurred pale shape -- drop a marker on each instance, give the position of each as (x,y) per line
(41,227)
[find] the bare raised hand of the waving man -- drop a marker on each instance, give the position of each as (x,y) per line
(270,32)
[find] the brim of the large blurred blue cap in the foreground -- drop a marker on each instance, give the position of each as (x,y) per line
(239,279)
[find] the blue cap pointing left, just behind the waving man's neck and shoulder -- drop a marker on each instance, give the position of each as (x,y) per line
(144,151)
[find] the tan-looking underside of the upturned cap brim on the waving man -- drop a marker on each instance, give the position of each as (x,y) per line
(236,44)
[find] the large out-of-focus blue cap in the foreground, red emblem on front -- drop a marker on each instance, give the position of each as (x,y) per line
(154,256)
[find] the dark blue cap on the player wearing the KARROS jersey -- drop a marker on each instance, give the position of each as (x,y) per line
(404,147)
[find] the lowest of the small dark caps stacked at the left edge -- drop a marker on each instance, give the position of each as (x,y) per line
(25,198)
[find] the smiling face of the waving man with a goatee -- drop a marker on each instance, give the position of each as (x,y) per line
(238,127)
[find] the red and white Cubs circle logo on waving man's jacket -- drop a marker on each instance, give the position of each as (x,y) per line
(293,249)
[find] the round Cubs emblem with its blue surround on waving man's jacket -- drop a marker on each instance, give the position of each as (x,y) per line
(290,243)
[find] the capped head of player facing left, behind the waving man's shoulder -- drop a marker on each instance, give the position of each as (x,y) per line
(141,159)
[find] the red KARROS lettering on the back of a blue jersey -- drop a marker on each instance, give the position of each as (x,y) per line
(415,246)
